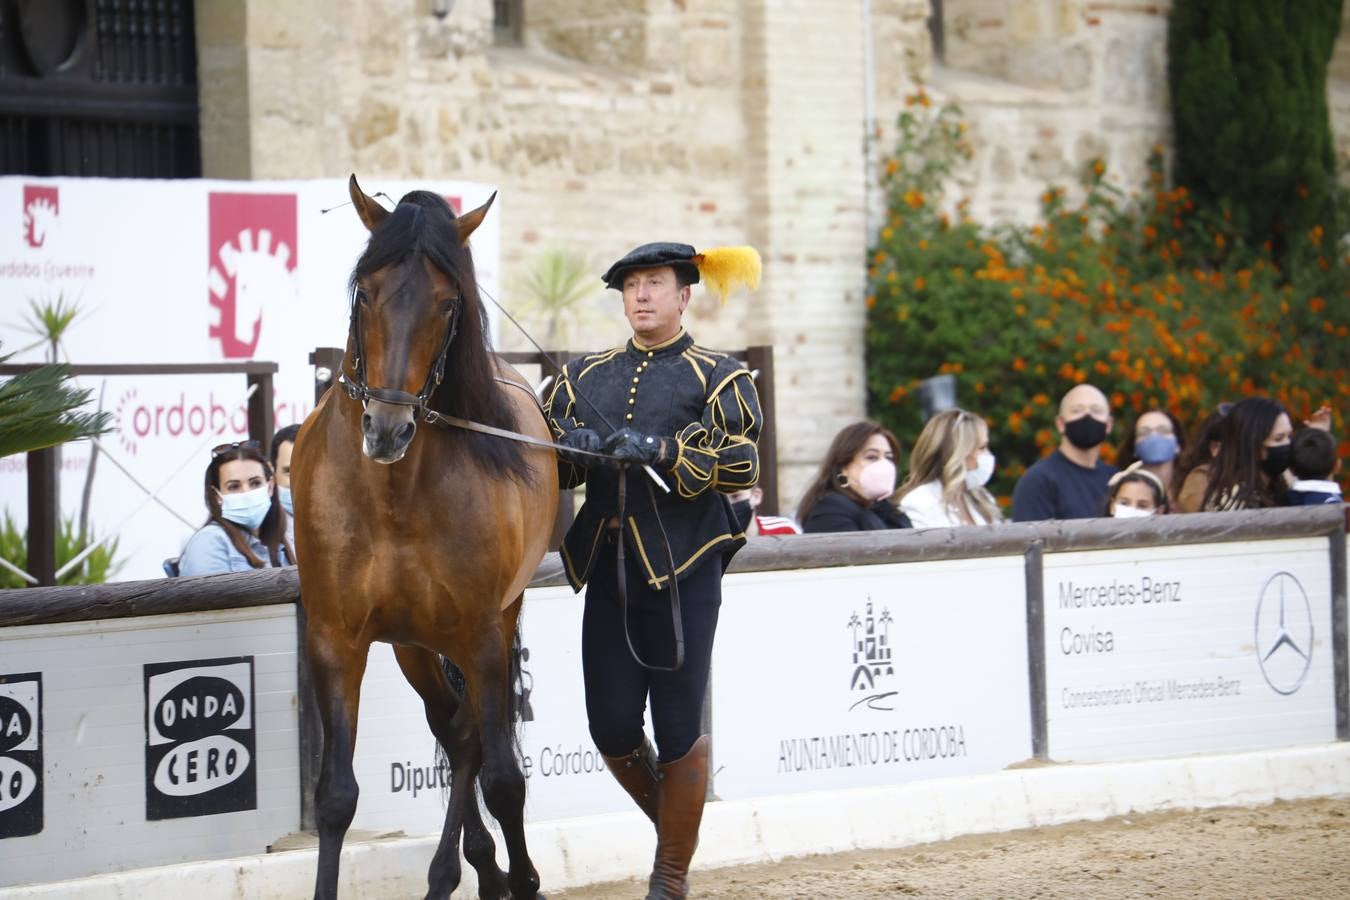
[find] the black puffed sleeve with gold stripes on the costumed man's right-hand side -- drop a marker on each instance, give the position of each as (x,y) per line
(720,451)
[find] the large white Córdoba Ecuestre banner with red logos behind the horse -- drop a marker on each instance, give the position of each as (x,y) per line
(183,272)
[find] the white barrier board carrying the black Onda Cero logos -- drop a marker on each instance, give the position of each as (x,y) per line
(148,741)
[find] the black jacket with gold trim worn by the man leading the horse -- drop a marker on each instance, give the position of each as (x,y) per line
(701,400)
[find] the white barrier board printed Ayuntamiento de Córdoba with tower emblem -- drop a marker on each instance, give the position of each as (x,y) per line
(873,675)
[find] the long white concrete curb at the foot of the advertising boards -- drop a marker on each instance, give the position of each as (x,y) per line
(576,852)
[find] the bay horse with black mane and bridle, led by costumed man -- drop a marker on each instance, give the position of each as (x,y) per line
(426,544)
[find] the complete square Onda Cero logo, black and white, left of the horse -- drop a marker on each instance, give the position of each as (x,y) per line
(200,739)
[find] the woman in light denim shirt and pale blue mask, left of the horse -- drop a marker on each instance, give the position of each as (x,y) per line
(248,526)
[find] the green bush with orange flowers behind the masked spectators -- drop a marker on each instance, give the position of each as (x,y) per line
(1155,302)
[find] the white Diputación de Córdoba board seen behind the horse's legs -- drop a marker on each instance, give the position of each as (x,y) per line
(566,777)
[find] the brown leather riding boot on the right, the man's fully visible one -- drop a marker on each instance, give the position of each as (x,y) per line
(684,786)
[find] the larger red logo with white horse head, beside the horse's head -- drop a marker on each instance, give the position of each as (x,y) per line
(253,260)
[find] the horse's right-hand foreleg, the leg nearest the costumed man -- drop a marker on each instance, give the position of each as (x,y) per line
(504,783)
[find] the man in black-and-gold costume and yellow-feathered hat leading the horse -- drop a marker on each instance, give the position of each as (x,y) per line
(653,558)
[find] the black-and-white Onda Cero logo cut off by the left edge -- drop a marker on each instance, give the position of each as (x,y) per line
(21,755)
